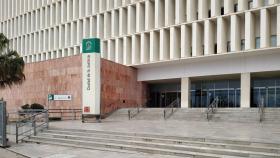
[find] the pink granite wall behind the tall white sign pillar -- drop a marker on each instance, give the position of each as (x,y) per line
(63,76)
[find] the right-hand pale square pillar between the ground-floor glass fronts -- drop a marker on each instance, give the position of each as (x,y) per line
(245,94)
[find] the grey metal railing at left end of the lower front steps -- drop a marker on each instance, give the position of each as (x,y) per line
(35,125)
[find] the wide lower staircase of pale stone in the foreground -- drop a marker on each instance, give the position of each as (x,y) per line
(156,144)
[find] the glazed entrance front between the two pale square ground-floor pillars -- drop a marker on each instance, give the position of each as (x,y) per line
(203,93)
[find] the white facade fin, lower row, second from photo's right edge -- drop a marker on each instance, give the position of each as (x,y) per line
(265,28)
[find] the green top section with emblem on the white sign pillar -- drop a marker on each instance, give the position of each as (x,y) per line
(91,45)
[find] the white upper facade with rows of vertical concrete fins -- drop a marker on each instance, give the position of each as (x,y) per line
(136,32)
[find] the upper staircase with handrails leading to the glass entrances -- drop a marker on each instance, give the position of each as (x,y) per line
(239,115)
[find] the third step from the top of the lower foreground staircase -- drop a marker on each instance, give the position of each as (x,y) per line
(158,146)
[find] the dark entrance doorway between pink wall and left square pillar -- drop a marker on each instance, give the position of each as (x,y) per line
(163,94)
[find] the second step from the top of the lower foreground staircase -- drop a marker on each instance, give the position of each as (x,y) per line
(134,140)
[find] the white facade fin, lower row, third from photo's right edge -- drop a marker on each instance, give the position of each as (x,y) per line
(250,30)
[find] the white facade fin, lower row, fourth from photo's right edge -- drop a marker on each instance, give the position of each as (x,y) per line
(235,33)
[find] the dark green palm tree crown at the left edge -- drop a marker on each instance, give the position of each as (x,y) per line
(11,65)
